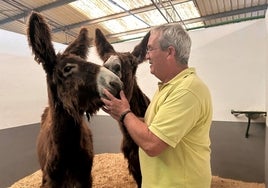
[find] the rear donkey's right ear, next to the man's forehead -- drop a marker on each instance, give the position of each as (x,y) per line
(140,50)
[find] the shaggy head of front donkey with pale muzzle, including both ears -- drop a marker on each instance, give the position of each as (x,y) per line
(72,82)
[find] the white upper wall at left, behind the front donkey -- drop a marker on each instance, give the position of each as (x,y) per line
(23,94)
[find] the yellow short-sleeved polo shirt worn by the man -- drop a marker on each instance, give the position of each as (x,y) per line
(180,114)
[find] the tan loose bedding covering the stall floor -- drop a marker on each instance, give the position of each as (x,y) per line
(110,171)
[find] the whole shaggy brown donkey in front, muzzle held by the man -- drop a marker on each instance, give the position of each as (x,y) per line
(74,87)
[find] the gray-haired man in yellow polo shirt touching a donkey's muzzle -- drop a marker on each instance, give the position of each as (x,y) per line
(174,136)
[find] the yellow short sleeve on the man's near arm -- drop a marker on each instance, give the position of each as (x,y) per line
(176,116)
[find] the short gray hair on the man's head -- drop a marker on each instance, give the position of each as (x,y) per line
(174,35)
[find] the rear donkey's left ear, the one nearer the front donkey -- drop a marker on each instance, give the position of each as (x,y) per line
(104,48)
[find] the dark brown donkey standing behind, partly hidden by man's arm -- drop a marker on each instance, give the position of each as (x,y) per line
(125,66)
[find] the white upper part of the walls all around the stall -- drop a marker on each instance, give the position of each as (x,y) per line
(231,59)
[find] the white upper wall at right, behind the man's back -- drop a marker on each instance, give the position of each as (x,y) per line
(232,60)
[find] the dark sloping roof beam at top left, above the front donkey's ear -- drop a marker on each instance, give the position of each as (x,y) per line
(39,9)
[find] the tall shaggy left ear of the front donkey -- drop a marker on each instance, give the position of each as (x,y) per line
(39,39)
